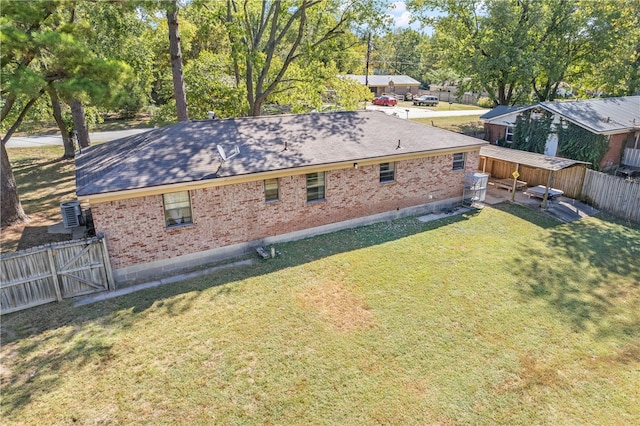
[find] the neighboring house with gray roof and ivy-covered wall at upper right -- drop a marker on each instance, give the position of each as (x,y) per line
(618,119)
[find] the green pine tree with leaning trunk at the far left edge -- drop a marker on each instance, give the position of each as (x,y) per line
(43,51)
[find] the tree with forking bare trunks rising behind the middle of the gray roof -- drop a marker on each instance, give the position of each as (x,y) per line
(267,38)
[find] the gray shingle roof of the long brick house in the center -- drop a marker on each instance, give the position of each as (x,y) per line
(186,152)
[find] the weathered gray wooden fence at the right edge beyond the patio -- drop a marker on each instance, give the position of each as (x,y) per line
(612,194)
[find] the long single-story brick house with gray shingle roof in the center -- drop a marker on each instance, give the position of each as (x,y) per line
(165,200)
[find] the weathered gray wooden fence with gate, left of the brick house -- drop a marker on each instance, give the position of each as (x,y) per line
(53,273)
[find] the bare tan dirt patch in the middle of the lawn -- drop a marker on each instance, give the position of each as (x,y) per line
(338,306)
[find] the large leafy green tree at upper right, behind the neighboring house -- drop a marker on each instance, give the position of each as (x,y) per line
(514,50)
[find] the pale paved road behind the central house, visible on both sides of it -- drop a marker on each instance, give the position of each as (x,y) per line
(402,112)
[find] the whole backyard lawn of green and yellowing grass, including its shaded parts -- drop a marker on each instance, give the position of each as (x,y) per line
(501,316)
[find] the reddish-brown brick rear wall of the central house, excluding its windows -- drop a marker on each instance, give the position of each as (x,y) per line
(237,213)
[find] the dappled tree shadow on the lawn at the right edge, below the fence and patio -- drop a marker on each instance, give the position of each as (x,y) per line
(596,286)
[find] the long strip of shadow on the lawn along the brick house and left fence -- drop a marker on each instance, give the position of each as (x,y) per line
(84,333)
